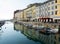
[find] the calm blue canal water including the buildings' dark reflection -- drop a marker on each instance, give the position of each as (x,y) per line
(12,33)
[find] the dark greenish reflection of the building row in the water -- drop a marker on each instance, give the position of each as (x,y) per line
(37,36)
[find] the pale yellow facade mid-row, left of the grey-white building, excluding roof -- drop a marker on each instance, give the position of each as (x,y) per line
(30,12)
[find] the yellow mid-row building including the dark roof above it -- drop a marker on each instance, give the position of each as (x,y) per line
(31,11)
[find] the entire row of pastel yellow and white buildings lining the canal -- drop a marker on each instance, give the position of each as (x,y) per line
(48,11)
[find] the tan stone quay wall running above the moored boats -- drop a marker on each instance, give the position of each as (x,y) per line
(50,25)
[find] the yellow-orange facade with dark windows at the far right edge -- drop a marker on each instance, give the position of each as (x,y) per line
(56,11)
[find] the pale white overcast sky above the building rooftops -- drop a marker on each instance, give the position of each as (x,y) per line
(7,7)
